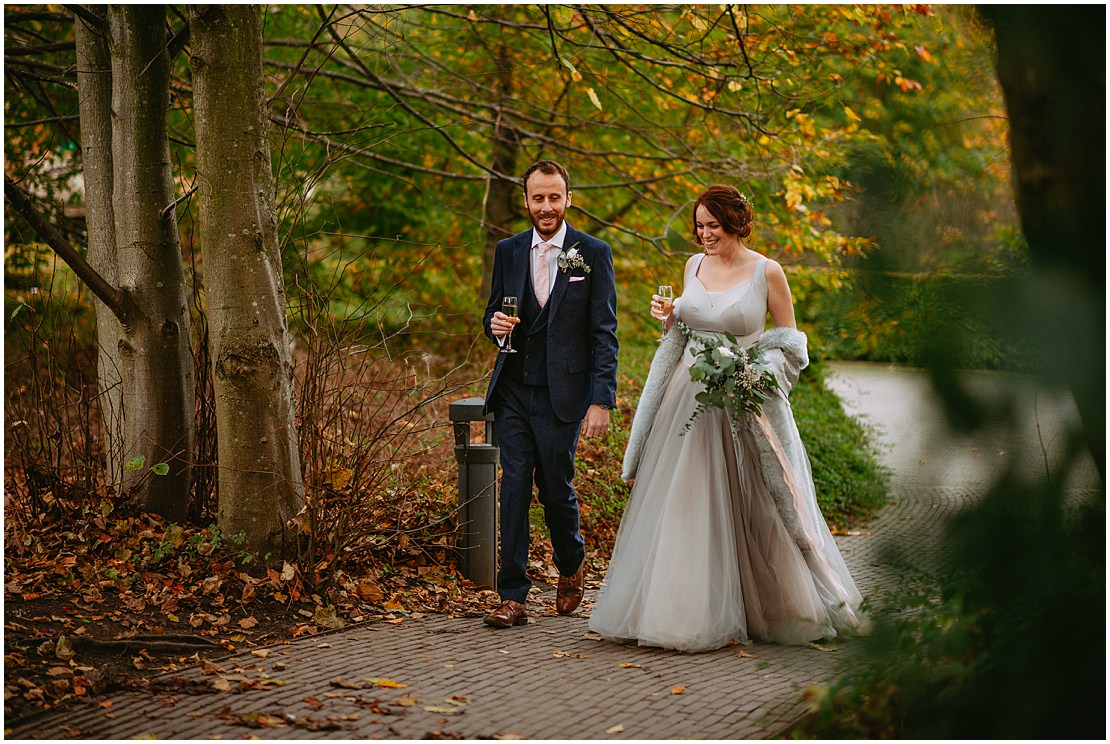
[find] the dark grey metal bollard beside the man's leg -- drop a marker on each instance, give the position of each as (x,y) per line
(478,492)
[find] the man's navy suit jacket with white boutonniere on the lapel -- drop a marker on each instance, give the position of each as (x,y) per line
(582,325)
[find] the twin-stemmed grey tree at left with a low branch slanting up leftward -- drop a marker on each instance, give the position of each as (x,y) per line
(135,235)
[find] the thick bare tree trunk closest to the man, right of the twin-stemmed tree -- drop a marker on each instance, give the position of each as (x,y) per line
(260,472)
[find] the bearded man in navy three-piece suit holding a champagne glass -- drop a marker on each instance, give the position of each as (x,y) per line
(561,381)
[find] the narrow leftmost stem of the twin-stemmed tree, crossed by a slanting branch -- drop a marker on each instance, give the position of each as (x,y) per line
(95,85)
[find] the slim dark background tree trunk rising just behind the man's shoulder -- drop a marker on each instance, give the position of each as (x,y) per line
(500,198)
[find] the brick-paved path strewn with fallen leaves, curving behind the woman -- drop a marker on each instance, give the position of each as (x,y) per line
(443,677)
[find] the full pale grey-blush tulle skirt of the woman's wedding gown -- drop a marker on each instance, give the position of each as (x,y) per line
(703,556)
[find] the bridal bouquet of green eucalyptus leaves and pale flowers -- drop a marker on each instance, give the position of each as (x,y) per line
(736,380)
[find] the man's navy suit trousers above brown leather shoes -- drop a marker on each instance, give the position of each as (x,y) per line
(536,448)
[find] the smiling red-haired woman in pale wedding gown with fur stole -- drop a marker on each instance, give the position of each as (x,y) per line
(723,539)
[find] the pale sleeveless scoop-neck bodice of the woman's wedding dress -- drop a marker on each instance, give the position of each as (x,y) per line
(741,310)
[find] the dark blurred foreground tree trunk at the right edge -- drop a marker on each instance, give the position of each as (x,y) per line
(1052,64)
